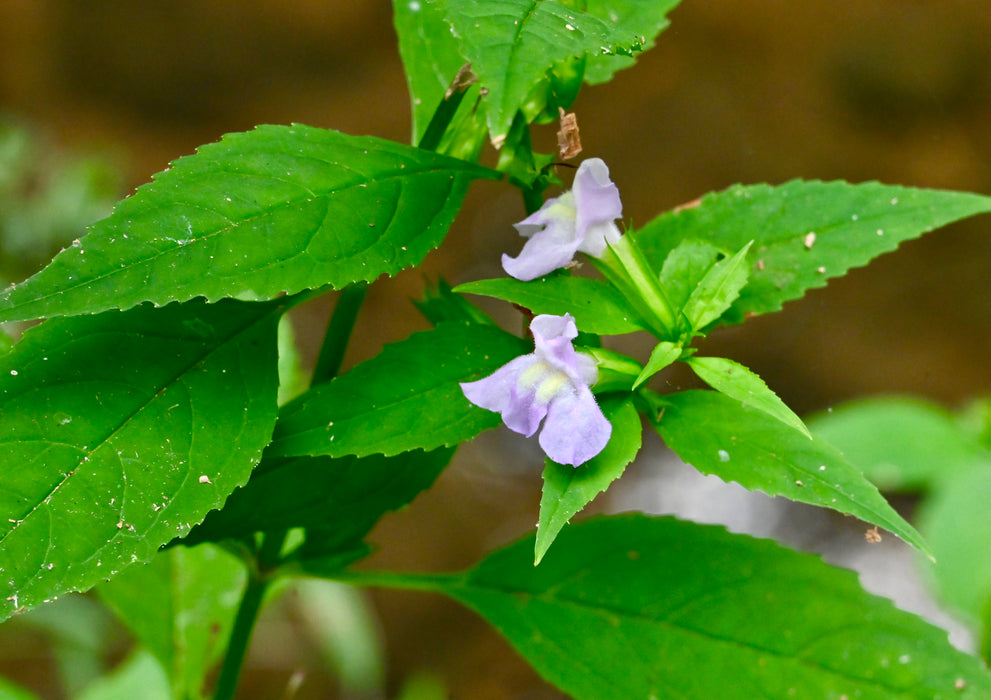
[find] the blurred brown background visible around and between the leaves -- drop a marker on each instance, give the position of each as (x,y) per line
(890,90)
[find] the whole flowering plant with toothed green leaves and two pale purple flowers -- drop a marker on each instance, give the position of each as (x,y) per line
(156,449)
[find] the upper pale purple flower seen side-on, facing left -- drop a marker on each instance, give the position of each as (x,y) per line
(581,219)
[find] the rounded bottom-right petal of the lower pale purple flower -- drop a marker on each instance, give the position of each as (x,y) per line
(575,430)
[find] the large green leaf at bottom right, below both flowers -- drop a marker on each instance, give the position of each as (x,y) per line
(636,607)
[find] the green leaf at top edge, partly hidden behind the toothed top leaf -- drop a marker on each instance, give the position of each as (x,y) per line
(642,19)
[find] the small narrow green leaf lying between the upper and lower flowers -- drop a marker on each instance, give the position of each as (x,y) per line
(596,307)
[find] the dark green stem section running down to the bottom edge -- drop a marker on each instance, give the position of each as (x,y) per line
(259,579)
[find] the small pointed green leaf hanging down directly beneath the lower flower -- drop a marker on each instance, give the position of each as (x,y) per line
(568,489)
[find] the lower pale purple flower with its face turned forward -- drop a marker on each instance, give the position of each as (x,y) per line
(552,385)
